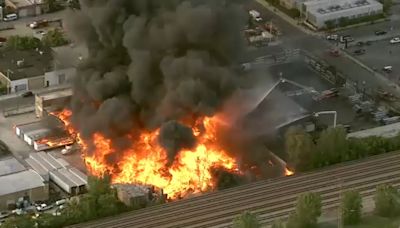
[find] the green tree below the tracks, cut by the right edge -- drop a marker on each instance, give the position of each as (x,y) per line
(387,201)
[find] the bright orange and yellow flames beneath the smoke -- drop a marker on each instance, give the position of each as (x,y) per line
(145,162)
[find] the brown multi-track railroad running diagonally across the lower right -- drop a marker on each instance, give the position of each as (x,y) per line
(269,199)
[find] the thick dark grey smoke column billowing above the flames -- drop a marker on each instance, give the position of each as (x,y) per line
(152,63)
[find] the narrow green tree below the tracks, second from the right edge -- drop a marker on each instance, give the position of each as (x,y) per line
(351,207)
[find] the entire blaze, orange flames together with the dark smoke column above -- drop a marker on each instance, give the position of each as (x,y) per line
(149,102)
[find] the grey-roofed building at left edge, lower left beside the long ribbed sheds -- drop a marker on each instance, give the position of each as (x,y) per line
(16,181)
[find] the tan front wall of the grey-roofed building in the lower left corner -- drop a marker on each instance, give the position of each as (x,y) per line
(36,194)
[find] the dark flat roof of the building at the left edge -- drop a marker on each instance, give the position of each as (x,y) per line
(17,64)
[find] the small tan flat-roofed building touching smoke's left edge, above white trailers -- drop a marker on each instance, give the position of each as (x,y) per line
(50,101)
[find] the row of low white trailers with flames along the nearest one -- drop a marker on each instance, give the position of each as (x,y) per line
(45,134)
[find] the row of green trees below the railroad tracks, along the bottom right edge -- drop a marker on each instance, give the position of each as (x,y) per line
(309,208)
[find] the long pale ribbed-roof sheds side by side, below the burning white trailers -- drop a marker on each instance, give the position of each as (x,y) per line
(58,171)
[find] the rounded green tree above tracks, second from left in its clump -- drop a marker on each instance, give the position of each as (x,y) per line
(332,145)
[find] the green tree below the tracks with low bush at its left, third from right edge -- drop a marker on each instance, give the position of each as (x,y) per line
(308,209)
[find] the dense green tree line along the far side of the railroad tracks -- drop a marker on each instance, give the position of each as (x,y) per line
(308,152)
